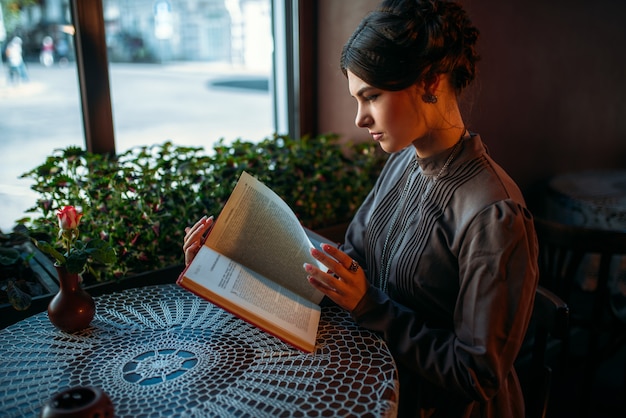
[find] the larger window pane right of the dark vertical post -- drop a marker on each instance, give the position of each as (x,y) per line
(189,71)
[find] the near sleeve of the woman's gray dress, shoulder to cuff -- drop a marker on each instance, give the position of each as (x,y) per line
(497,268)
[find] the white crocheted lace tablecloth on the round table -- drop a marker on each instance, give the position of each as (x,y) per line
(162,351)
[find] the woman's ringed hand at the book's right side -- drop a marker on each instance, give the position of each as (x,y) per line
(345,282)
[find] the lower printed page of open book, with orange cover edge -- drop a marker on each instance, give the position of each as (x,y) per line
(253,298)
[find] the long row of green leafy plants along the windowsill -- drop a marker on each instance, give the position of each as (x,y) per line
(140,201)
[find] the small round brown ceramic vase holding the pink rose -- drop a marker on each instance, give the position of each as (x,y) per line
(72,308)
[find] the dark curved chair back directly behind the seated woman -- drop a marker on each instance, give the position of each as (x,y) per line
(549,323)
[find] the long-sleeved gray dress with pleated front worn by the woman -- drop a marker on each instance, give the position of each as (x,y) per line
(454,301)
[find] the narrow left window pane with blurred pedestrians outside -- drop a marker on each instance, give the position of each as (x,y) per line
(39,105)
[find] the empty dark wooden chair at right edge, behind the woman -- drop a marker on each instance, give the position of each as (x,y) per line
(563,251)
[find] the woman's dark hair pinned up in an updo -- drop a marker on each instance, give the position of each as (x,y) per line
(405,41)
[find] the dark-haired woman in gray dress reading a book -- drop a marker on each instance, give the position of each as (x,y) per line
(441,257)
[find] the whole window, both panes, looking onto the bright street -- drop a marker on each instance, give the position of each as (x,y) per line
(189,71)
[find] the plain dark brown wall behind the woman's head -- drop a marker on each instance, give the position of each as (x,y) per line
(551,91)
